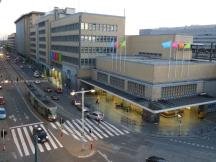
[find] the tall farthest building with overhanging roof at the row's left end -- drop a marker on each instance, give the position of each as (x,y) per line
(23,25)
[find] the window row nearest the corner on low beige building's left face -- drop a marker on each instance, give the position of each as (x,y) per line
(136,89)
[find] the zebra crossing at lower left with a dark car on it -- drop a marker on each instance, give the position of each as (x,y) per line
(22,137)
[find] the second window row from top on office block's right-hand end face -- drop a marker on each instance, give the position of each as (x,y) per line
(93,38)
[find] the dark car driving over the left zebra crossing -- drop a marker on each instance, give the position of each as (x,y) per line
(40,133)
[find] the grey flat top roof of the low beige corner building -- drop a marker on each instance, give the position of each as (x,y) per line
(151,61)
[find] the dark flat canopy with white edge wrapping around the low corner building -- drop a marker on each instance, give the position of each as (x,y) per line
(154,106)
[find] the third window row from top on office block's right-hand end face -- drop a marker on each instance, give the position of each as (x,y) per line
(98,50)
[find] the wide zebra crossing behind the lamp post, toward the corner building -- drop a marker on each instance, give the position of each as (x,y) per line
(92,129)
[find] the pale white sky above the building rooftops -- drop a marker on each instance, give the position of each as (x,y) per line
(140,14)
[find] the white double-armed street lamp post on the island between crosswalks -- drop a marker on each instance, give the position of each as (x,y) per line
(82,92)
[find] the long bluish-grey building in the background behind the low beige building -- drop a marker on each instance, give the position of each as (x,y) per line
(204,34)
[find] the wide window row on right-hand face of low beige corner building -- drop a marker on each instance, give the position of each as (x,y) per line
(179,91)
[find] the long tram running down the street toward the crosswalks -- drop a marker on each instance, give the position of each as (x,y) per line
(41,103)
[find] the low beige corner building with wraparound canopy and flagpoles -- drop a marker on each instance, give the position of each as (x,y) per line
(153,83)
